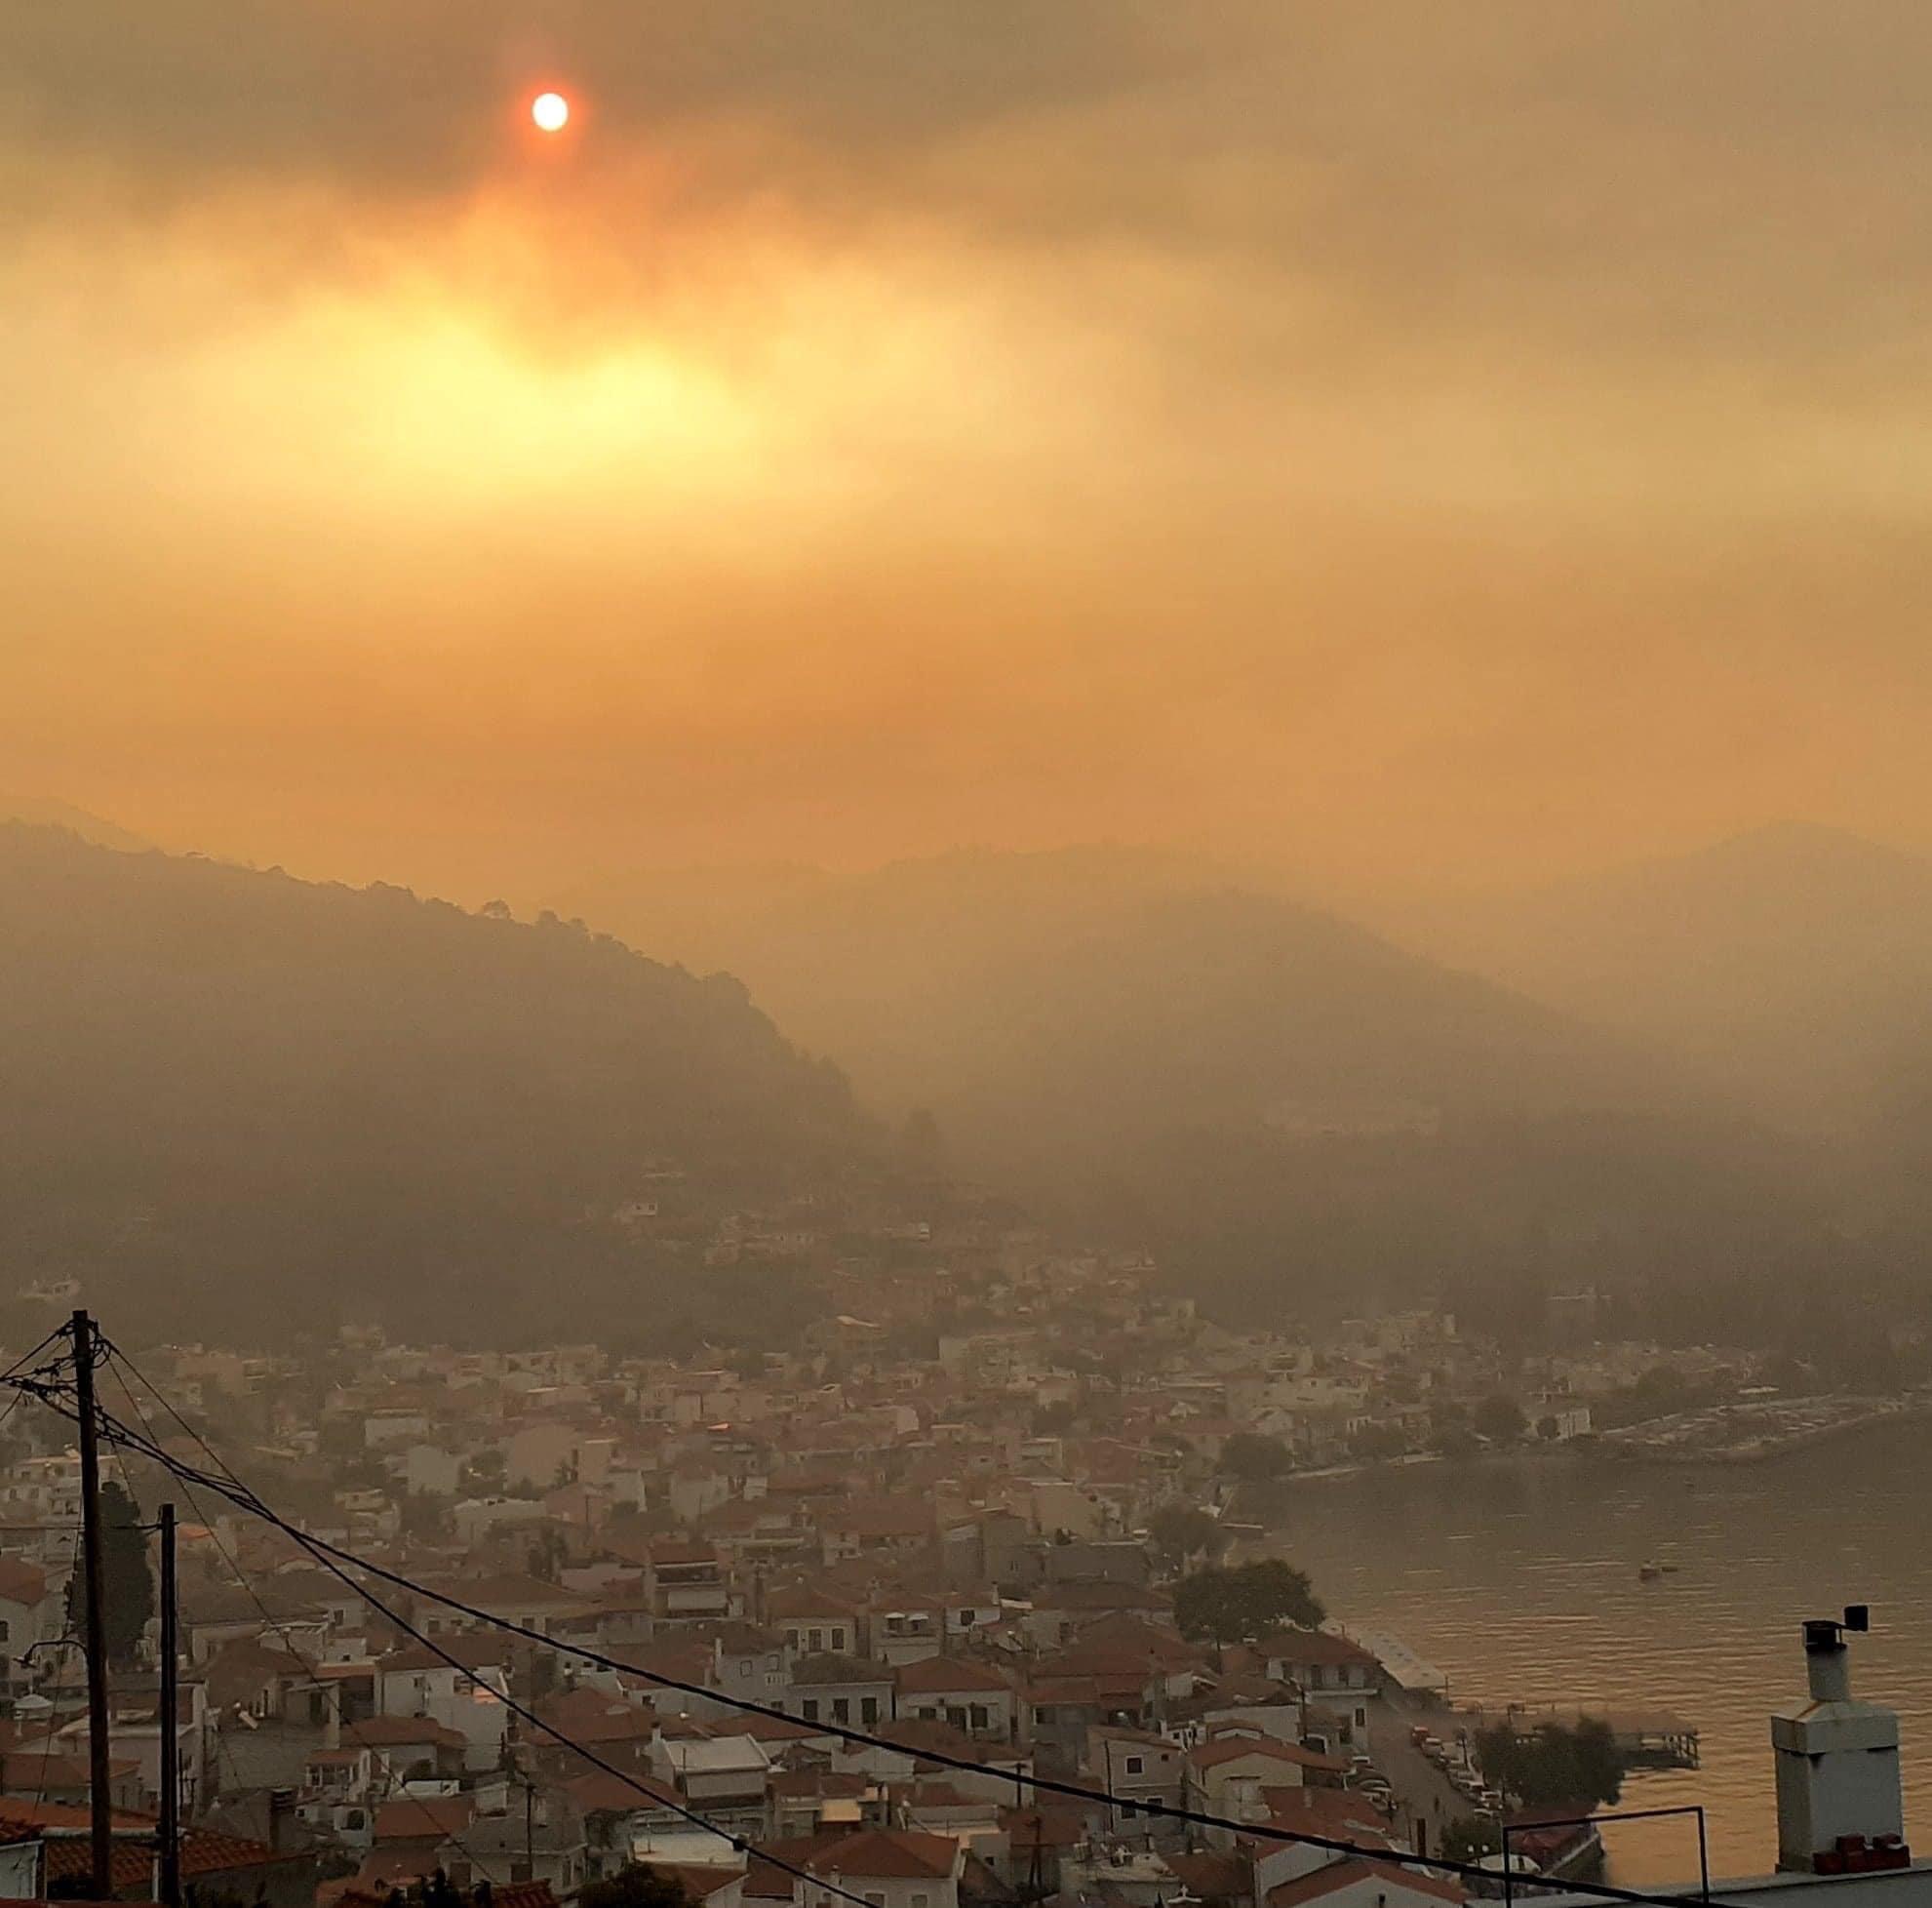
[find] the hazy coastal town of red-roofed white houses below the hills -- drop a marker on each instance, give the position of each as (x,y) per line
(787,1625)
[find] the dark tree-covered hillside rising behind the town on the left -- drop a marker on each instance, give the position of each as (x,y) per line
(246,1099)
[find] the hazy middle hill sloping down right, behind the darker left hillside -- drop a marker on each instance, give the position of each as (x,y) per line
(1288,1107)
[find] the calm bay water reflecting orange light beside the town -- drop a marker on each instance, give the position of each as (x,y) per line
(1520,1582)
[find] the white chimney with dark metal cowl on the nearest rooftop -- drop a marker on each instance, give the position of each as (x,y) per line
(1838,1766)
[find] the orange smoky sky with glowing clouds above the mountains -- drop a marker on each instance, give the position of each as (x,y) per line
(1407,444)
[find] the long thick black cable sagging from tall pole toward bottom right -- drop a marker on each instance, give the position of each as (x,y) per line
(246,1499)
